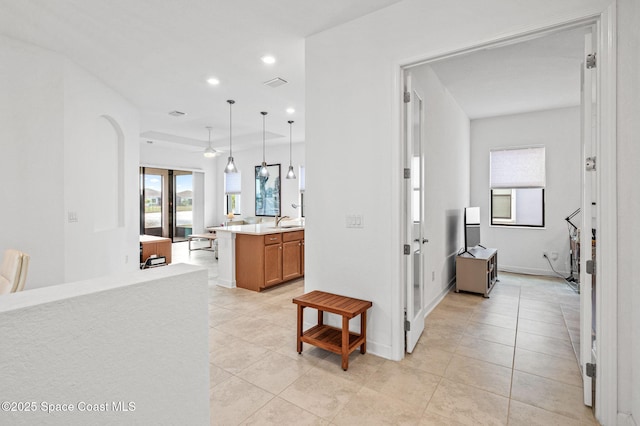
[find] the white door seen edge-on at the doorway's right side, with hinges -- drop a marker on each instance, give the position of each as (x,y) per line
(588,352)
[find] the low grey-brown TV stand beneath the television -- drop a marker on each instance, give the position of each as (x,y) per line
(477,270)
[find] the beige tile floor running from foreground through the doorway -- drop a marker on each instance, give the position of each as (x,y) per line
(504,360)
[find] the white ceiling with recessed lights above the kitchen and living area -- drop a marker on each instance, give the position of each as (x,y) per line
(159,54)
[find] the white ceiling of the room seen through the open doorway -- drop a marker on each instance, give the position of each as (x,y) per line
(542,73)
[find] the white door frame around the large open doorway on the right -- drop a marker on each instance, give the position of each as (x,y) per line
(606,209)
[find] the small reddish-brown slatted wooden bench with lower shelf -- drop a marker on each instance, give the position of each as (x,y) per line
(339,341)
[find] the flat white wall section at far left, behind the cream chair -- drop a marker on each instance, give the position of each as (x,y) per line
(31,157)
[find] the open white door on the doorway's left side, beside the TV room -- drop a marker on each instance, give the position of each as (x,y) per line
(413,216)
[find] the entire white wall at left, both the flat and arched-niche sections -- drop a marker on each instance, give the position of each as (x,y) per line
(49,110)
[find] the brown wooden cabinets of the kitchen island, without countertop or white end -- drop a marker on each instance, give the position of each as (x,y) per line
(266,260)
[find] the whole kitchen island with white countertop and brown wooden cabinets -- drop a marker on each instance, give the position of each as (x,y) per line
(258,256)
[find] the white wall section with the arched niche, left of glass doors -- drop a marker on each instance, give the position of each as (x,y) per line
(92,251)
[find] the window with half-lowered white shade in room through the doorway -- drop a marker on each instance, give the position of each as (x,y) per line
(517,186)
